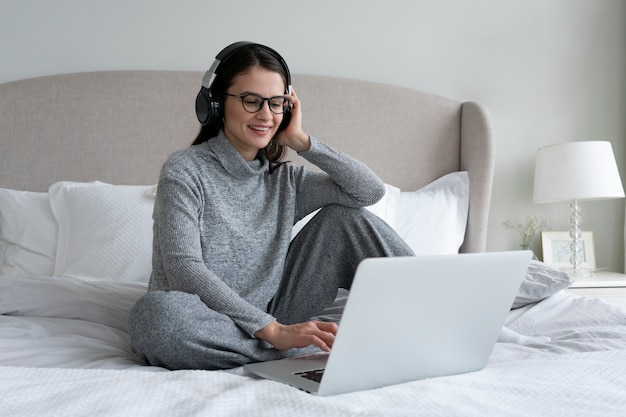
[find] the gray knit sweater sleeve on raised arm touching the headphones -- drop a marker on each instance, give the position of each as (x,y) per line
(344,180)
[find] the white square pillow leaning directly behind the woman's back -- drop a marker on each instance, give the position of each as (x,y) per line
(105,231)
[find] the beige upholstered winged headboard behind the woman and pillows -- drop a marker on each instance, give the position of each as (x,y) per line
(119,126)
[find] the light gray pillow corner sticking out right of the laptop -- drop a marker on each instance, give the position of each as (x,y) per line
(541,281)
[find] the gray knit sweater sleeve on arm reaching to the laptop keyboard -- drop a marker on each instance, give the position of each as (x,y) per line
(179,258)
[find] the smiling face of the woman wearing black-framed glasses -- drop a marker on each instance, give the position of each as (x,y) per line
(249,132)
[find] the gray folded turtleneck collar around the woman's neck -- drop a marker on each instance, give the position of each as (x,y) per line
(232,160)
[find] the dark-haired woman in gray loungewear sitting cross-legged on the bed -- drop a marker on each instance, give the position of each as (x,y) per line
(228,287)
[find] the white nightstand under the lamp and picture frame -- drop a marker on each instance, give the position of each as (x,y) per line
(610,286)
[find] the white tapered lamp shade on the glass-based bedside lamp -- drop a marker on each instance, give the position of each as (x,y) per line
(576,170)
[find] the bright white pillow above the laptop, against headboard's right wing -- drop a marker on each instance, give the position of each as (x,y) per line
(432,220)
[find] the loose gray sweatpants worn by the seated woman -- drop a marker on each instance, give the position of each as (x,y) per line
(176,330)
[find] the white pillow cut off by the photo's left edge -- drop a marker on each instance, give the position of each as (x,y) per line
(28,234)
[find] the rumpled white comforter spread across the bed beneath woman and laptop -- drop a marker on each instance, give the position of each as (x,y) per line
(566,355)
